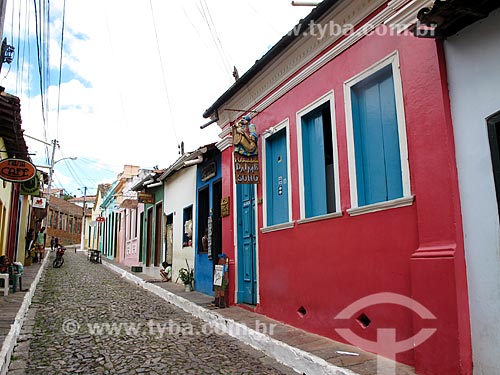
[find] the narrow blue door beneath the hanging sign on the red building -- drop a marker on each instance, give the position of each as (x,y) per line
(247,280)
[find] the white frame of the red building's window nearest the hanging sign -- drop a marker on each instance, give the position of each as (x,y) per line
(285,124)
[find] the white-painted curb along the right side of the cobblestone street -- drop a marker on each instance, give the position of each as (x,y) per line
(297,359)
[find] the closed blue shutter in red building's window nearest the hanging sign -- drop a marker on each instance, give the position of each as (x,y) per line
(277,179)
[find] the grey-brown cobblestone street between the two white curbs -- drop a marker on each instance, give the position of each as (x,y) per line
(85,319)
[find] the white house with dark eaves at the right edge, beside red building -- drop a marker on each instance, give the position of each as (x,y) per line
(472,52)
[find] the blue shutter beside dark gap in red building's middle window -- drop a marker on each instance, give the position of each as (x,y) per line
(313,150)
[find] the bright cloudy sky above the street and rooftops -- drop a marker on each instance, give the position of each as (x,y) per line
(135,77)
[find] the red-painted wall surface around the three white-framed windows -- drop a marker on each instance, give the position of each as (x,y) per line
(416,251)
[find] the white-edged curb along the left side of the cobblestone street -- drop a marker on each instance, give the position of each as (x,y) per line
(15,328)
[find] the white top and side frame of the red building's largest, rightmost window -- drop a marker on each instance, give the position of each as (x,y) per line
(393,60)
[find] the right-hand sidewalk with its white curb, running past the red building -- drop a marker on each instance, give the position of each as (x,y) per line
(305,352)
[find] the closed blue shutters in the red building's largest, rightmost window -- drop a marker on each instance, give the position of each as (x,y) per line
(376,139)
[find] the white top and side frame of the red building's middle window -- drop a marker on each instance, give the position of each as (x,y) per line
(329,96)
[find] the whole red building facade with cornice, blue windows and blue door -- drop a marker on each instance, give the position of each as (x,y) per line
(357,222)
